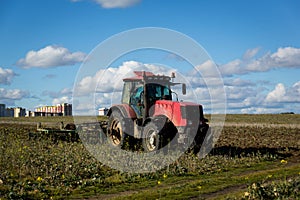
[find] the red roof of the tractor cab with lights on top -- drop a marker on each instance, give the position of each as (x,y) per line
(147,77)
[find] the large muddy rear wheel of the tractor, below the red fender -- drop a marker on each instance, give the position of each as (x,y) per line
(116,129)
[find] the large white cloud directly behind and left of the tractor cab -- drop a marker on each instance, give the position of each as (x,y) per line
(107,85)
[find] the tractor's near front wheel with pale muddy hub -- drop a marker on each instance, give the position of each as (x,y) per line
(151,137)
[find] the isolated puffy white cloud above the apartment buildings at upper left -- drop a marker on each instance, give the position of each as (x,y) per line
(50,56)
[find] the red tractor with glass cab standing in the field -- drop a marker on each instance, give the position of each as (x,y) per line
(147,113)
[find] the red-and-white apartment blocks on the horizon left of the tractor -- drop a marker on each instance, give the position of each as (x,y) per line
(64,109)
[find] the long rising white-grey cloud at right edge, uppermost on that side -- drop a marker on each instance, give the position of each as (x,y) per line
(285,57)
